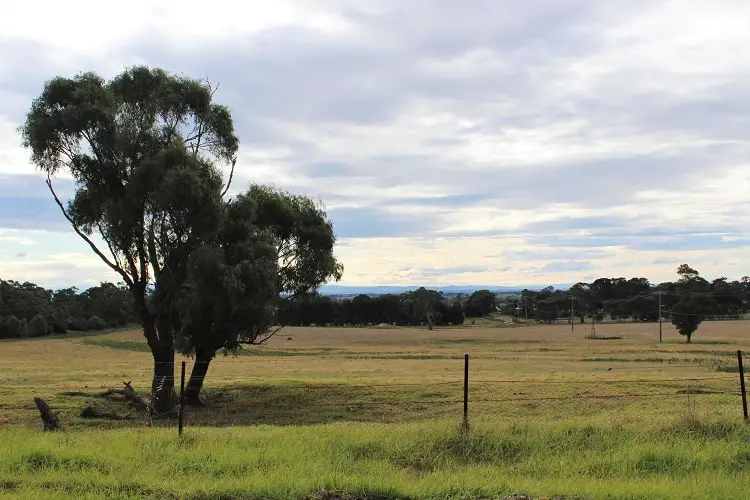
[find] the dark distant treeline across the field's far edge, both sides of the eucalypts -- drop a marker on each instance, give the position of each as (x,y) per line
(28,310)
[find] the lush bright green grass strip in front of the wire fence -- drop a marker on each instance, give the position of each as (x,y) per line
(683,458)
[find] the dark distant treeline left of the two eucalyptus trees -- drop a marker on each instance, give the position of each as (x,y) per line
(28,310)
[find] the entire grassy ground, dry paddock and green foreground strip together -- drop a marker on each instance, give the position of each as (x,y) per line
(375,411)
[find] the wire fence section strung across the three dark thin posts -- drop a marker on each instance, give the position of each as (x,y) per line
(484,392)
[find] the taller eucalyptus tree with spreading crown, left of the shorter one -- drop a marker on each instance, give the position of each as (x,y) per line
(145,149)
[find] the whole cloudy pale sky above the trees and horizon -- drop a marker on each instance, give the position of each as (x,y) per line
(452,142)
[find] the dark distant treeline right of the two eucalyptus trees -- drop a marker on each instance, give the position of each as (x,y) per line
(634,299)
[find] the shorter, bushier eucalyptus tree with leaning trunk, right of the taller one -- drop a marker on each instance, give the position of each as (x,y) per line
(274,248)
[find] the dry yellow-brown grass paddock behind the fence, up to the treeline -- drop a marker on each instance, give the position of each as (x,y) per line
(319,375)
